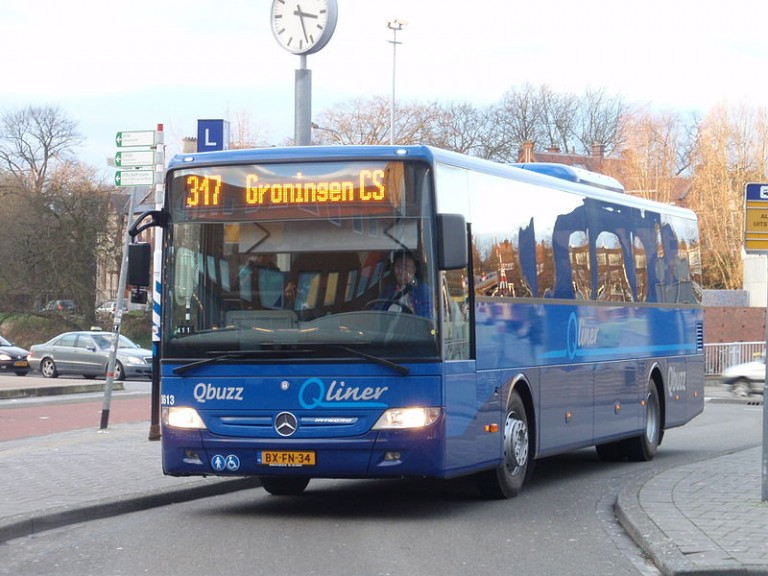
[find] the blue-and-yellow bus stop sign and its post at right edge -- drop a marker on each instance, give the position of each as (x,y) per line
(756,242)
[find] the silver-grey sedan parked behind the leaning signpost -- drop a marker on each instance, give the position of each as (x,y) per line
(87,353)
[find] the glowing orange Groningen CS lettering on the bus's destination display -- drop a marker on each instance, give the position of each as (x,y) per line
(369,188)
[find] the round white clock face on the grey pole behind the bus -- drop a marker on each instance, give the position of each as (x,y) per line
(303,26)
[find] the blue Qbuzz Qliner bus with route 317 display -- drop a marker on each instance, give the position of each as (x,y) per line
(543,311)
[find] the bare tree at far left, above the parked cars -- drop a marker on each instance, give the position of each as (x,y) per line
(54,210)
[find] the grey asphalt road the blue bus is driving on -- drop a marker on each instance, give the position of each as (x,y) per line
(562,523)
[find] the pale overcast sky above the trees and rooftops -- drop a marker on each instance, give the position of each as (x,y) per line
(118,66)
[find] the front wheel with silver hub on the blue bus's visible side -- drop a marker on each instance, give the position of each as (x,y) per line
(508,478)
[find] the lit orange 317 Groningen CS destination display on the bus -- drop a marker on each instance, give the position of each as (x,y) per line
(210,190)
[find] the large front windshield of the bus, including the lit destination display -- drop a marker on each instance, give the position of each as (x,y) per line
(292,260)
